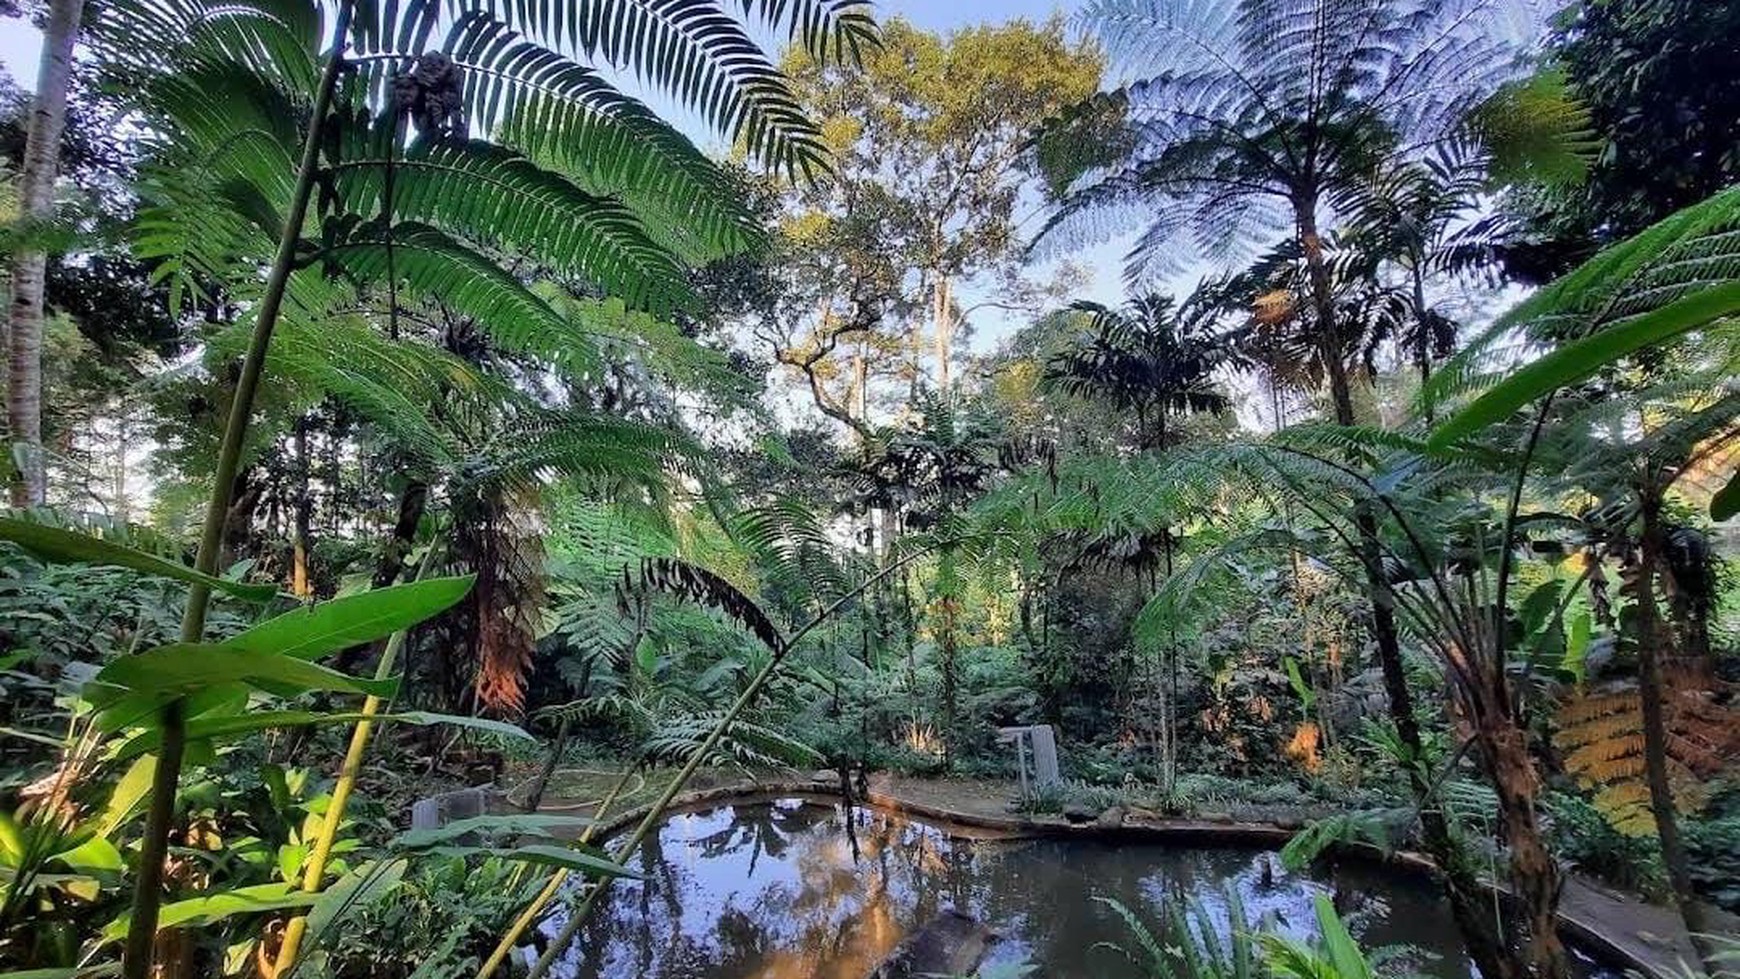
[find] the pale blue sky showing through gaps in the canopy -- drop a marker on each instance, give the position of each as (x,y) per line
(20,50)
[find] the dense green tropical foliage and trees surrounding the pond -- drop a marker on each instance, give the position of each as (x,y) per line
(425,411)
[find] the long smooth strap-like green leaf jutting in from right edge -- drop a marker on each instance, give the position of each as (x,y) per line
(1581,359)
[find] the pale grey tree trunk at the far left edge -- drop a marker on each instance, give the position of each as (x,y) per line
(36,197)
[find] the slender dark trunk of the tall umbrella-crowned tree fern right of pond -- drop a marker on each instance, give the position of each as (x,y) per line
(1489,949)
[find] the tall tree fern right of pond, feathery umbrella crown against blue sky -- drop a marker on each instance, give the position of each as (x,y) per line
(1248,119)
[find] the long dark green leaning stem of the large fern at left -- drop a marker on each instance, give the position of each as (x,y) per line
(149,891)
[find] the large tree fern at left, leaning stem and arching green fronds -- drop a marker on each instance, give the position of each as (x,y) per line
(262,107)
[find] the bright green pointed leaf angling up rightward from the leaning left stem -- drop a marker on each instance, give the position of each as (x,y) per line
(330,627)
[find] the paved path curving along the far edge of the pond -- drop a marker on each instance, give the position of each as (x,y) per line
(1596,916)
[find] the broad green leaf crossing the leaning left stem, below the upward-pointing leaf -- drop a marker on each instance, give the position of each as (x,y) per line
(189,669)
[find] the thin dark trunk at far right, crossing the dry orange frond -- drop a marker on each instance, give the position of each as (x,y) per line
(1652,691)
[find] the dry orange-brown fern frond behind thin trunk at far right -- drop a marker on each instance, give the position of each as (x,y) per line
(1600,736)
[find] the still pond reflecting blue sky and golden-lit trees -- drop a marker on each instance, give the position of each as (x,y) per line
(773,891)
